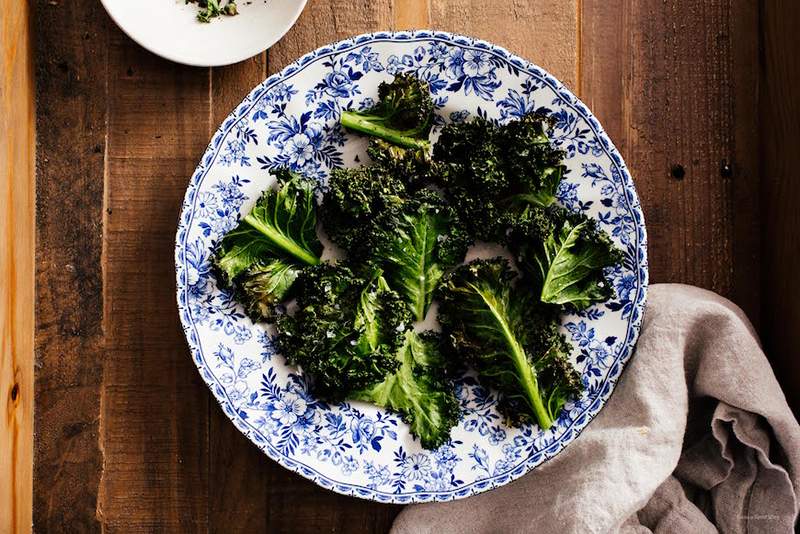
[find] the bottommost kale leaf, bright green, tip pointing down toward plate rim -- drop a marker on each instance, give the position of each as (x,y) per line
(418,390)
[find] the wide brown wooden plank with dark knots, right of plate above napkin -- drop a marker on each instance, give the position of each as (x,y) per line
(674,84)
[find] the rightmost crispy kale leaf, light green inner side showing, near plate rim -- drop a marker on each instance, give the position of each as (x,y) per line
(566,255)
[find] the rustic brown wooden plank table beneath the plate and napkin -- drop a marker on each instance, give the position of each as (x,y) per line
(697,95)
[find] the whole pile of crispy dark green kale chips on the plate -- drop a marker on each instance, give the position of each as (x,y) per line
(405,222)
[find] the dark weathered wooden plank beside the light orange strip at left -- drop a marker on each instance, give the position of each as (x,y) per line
(71,52)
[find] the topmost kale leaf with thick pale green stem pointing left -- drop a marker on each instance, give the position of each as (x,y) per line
(403,115)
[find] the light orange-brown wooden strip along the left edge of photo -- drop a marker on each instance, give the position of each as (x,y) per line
(17,204)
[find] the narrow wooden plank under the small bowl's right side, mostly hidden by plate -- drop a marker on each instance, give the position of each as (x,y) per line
(238,470)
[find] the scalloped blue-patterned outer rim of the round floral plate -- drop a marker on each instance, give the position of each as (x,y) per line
(241,111)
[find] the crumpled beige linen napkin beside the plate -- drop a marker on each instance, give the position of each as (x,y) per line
(696,438)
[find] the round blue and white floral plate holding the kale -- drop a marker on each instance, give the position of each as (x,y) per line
(292,119)
